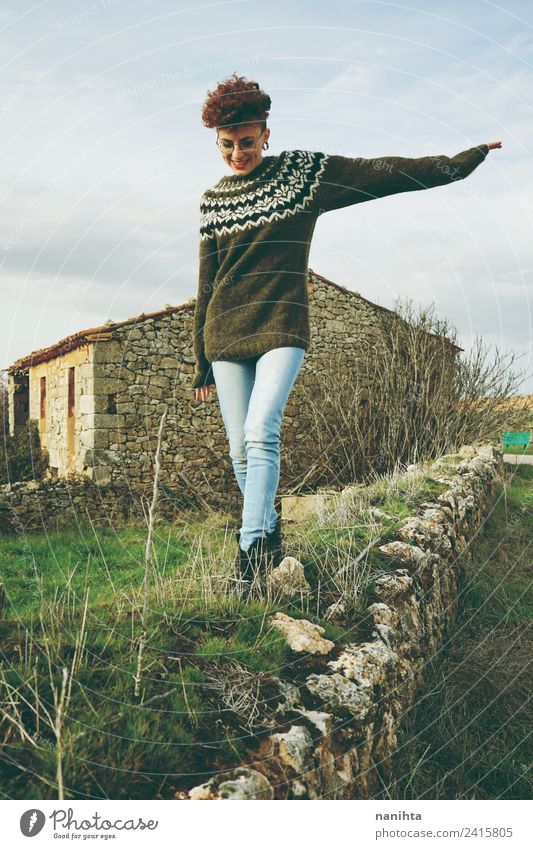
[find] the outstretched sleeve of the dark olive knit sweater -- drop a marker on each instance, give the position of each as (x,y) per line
(347,181)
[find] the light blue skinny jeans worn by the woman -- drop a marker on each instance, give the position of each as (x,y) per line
(252,394)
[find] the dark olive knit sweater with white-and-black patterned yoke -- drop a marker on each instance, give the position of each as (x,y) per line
(255,238)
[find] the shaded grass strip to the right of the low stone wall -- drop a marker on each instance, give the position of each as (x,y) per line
(468,736)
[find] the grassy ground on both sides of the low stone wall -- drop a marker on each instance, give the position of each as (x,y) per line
(71,725)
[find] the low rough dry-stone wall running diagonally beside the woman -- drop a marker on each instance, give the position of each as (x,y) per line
(339,725)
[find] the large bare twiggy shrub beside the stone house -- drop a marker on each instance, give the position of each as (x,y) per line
(411,397)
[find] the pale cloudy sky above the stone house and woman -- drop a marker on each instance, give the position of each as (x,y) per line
(104,157)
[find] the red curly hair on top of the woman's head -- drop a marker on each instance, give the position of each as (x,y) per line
(236,101)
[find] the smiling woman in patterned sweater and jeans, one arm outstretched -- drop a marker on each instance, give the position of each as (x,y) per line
(251,322)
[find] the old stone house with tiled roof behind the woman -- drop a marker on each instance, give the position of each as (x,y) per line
(98,394)
